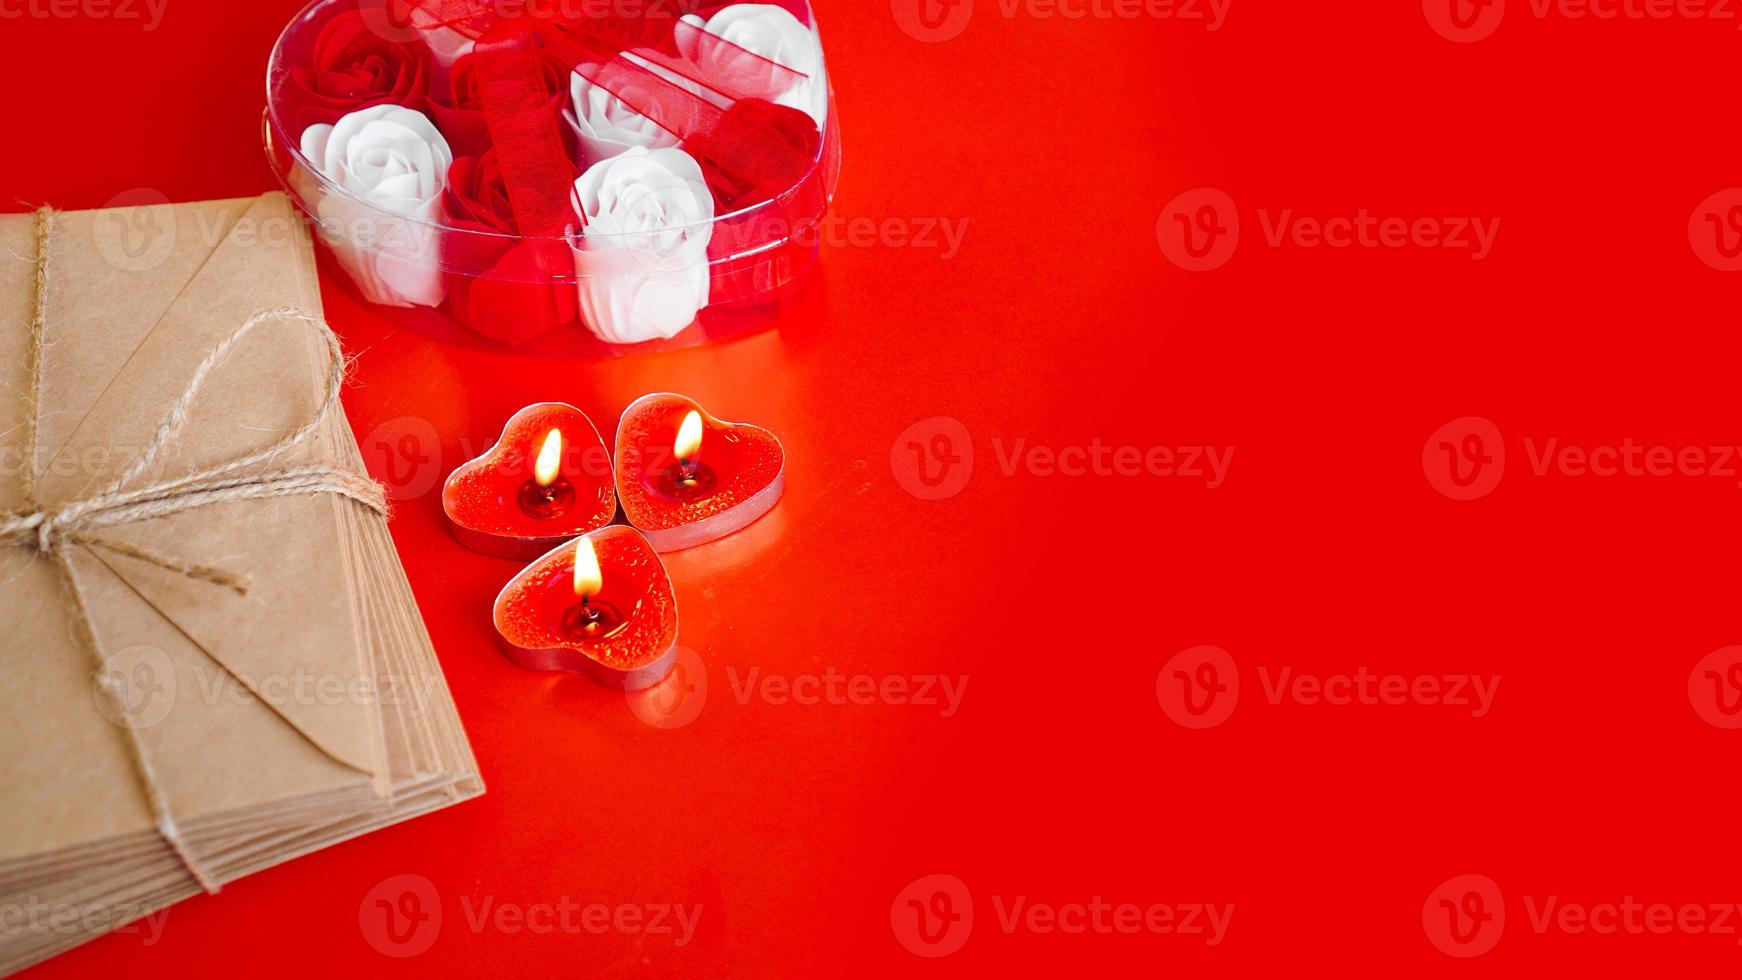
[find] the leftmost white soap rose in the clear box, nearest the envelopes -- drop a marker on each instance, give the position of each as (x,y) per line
(393,168)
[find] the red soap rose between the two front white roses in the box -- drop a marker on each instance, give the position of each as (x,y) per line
(506,288)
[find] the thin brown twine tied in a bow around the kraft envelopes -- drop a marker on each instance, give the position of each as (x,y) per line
(51,532)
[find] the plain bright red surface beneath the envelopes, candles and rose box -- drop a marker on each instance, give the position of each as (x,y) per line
(1062,321)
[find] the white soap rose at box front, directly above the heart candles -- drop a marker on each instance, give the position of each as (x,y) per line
(642,253)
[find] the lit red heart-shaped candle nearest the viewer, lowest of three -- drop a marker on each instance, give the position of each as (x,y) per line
(600,607)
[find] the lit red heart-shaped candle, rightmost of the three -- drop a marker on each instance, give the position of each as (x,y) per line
(687,478)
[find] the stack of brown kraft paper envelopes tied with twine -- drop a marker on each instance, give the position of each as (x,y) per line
(266,723)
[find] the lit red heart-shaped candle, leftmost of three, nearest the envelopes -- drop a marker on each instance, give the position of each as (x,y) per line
(546,481)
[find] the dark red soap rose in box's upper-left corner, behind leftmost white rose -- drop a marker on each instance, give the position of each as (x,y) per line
(353,69)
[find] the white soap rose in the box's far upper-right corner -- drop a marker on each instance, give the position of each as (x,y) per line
(774,34)
